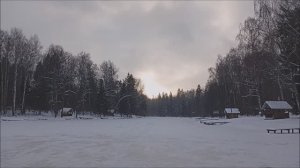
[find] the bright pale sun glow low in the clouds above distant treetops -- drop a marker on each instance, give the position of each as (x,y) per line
(151,87)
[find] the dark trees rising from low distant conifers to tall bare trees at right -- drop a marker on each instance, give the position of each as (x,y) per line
(265,65)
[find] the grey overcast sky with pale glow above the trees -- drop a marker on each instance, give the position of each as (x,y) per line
(168,44)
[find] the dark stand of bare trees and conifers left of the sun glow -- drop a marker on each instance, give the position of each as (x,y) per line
(42,81)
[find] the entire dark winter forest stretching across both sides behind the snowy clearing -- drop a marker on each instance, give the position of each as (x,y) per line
(265,65)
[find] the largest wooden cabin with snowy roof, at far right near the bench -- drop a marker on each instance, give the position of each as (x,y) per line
(276,109)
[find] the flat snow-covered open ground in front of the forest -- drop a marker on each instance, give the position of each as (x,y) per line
(148,142)
